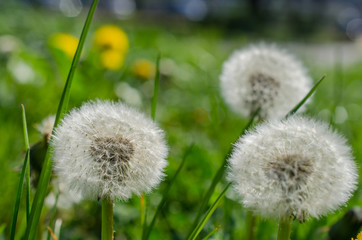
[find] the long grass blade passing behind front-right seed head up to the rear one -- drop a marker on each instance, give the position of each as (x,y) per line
(218,176)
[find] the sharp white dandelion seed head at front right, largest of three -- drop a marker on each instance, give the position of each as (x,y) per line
(296,167)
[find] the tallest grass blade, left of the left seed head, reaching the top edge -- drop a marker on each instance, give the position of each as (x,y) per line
(47,165)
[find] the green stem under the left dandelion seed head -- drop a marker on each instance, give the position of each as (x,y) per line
(107,219)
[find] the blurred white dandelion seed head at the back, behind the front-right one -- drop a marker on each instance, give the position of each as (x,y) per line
(266,77)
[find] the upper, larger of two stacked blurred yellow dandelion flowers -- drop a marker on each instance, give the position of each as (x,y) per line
(111,37)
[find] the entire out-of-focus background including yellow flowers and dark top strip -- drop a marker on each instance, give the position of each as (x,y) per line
(38,39)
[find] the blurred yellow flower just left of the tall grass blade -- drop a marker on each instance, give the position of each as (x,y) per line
(64,42)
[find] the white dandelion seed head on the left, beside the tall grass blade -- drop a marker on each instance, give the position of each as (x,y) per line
(107,149)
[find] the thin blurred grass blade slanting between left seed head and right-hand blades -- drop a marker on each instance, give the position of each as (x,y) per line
(165,194)
